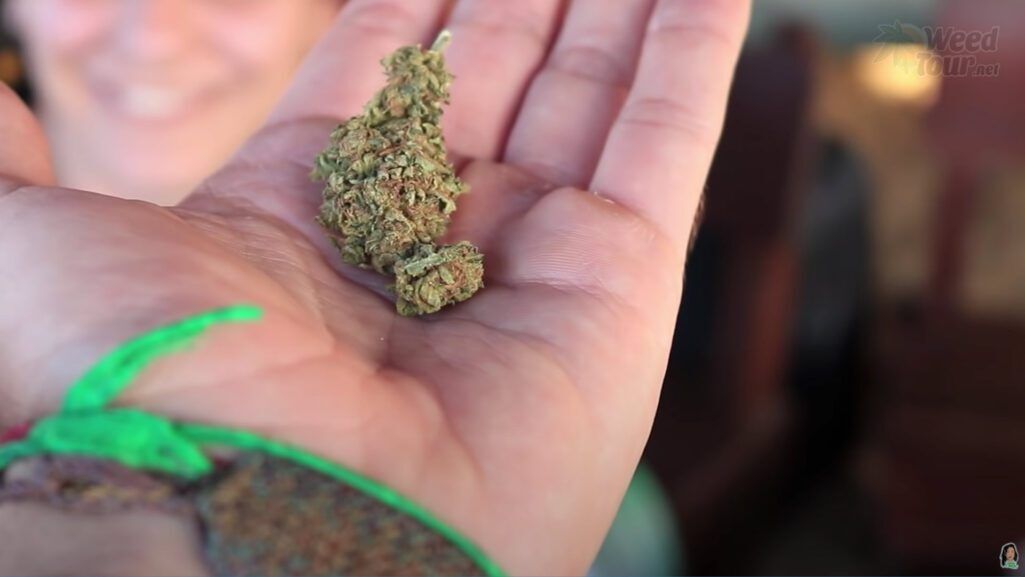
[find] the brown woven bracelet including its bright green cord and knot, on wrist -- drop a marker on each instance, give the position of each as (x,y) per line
(269,509)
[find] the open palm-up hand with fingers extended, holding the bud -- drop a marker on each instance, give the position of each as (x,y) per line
(586,135)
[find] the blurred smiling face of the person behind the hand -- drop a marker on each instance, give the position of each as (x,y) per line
(160,93)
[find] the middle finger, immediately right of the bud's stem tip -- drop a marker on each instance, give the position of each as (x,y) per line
(498,47)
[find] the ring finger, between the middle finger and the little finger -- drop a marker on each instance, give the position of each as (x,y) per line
(575,100)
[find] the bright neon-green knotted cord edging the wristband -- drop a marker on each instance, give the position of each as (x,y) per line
(88,426)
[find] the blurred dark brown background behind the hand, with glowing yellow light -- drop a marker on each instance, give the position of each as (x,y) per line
(847,385)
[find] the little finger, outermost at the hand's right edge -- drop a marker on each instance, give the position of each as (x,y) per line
(658,156)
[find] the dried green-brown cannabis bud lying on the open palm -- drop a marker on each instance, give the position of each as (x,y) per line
(390,189)
